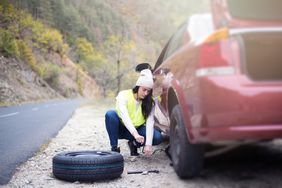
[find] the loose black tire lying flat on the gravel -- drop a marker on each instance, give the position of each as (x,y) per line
(87,165)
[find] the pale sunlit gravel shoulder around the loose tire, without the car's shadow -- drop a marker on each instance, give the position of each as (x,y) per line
(86,131)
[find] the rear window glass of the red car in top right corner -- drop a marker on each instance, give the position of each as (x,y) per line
(256,9)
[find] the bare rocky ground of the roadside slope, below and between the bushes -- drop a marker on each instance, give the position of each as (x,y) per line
(19,84)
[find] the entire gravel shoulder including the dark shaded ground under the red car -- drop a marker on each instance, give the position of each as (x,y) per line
(256,166)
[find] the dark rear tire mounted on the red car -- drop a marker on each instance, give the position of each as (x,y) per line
(187,158)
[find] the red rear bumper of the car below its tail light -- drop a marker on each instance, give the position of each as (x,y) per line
(235,108)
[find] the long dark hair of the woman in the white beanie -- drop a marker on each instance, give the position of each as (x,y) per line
(147,103)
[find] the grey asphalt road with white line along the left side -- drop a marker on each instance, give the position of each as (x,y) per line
(24,129)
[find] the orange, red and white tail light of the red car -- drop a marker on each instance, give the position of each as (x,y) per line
(217,55)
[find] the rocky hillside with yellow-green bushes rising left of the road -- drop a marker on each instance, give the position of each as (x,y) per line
(34,62)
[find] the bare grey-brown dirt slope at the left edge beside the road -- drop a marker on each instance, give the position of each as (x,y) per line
(19,84)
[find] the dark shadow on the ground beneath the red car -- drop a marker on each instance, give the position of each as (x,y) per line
(249,163)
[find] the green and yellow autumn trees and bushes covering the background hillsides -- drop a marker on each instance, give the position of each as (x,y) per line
(103,39)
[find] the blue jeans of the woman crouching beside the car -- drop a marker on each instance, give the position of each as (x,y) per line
(116,130)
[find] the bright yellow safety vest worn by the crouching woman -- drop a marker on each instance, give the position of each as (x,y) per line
(135,115)
